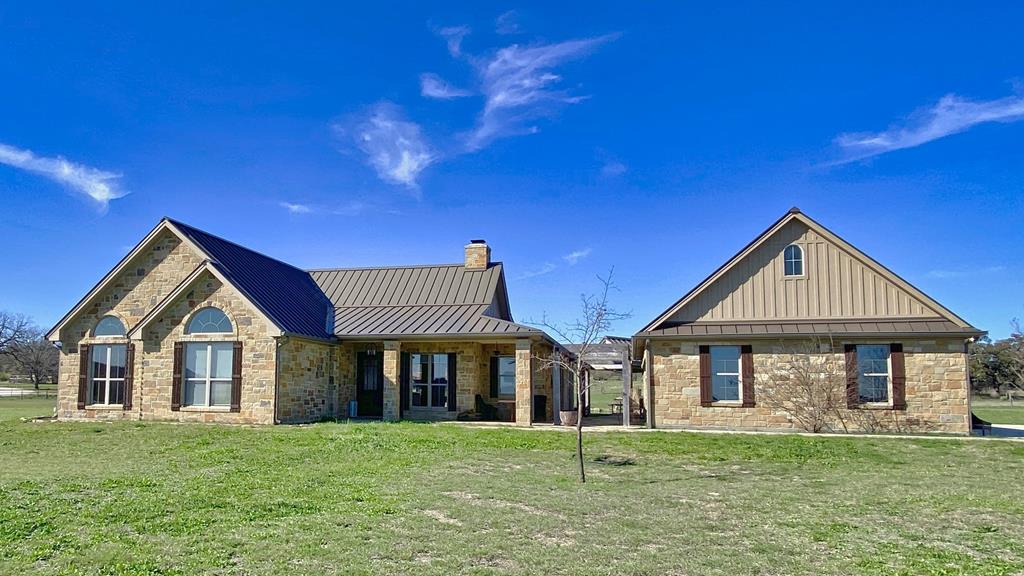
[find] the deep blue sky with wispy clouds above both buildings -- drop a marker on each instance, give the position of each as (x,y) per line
(658,140)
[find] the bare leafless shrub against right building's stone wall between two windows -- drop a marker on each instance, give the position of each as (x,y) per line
(807,383)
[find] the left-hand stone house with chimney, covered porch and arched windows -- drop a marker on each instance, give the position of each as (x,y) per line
(193,327)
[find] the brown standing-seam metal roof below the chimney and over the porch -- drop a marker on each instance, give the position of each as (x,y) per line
(420,301)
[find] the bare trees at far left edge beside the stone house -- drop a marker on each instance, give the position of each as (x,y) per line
(25,350)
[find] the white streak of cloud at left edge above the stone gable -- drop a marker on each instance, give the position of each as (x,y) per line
(101,186)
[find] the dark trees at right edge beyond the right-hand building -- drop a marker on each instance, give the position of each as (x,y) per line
(998,366)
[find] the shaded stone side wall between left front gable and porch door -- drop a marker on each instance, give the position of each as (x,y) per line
(307,382)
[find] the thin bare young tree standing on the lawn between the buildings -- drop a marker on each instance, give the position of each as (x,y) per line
(595,320)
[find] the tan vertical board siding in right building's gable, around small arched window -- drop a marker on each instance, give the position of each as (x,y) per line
(836,284)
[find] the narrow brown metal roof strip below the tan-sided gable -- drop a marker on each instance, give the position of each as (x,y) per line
(923,327)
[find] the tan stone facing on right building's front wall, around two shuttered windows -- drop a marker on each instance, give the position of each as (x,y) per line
(936,388)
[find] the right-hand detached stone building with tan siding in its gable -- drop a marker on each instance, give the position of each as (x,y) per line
(728,354)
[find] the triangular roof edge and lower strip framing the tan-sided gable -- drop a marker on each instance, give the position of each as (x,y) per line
(948,322)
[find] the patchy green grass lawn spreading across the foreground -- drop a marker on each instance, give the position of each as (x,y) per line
(369,499)
